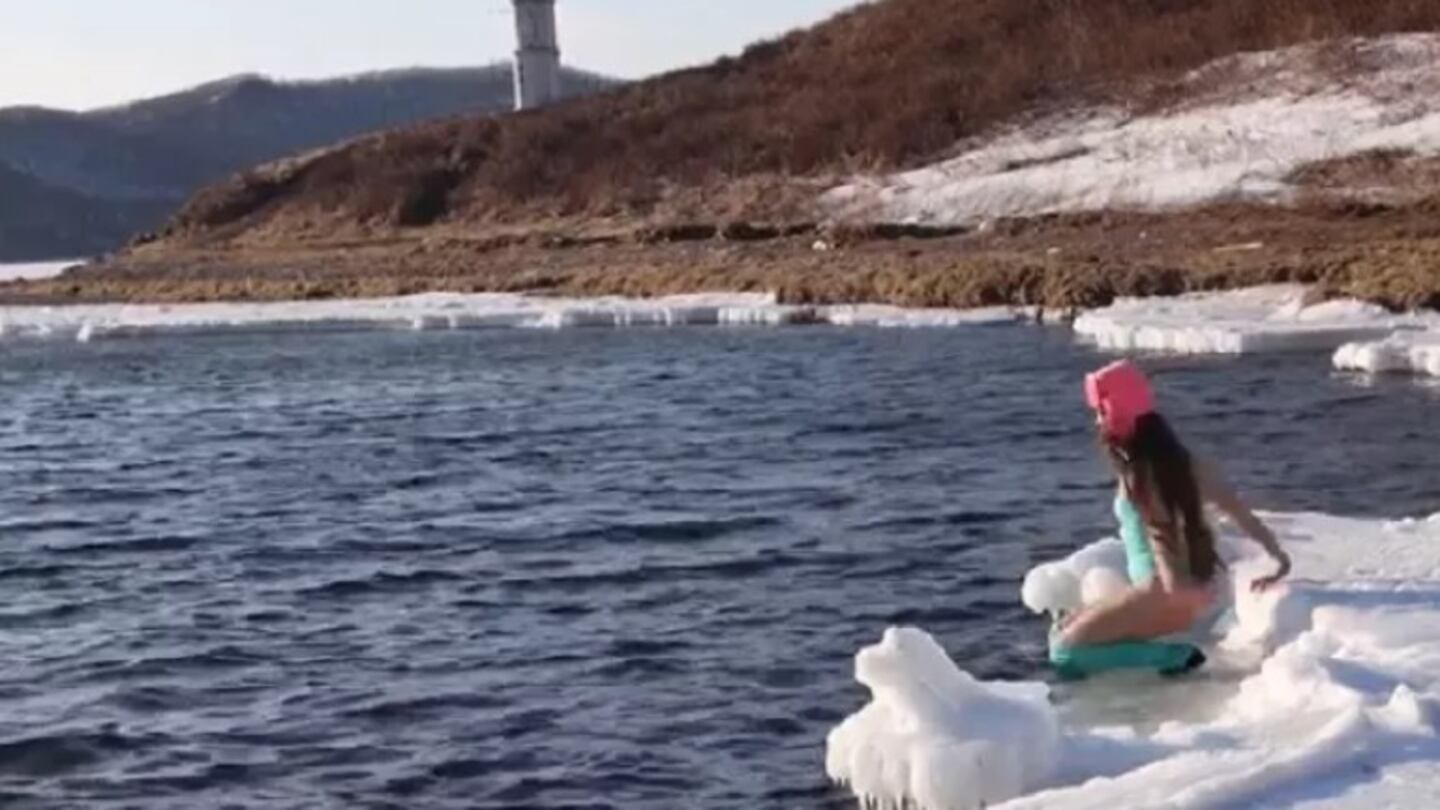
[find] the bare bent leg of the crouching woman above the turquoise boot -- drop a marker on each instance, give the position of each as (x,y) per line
(1137,616)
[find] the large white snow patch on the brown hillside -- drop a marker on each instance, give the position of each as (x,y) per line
(1271,115)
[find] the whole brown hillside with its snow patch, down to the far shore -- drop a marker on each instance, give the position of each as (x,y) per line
(912,152)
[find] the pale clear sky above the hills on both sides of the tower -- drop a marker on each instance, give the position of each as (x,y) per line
(84,54)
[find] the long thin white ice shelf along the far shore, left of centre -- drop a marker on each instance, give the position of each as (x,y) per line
(446,311)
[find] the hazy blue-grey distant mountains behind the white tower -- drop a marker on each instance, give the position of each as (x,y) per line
(74,184)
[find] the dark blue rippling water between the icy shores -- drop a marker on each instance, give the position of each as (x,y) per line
(559,570)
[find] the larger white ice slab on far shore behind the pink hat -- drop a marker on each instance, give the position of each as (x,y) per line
(1259,319)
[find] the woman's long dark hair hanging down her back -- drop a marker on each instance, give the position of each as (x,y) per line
(1158,471)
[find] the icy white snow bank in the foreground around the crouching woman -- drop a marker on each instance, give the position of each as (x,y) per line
(1331,697)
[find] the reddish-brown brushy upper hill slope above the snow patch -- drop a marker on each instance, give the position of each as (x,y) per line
(883,86)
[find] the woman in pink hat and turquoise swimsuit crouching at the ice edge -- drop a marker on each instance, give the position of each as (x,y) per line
(1169,546)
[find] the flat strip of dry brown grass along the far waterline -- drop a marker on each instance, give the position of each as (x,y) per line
(1389,256)
